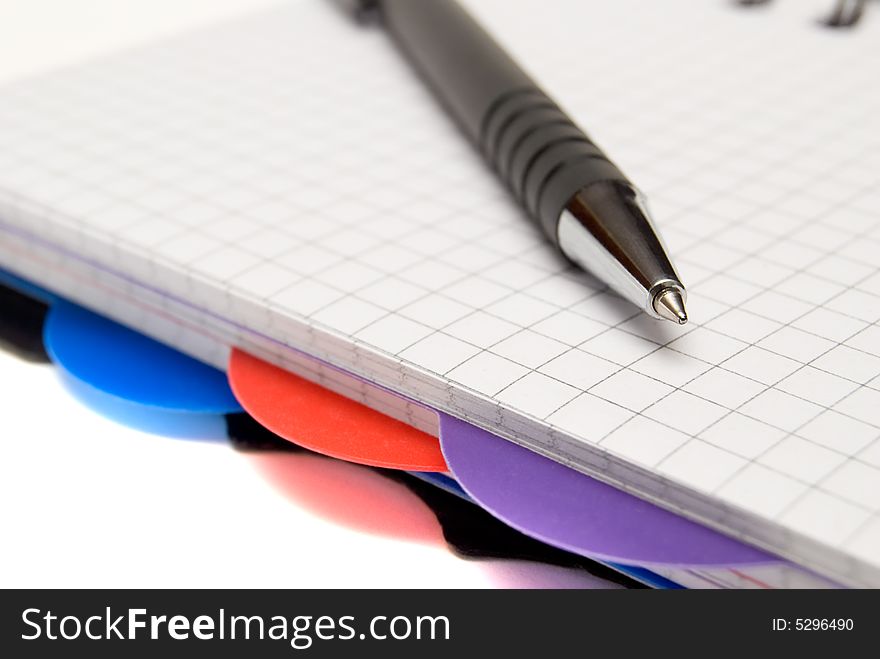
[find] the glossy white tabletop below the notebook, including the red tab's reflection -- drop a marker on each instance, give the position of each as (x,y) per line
(91,503)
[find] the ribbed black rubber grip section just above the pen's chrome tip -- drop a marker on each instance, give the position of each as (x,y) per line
(540,154)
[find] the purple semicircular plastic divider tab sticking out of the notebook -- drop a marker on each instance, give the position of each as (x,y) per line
(565,508)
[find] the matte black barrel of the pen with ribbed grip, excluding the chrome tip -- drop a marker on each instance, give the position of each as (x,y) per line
(537,150)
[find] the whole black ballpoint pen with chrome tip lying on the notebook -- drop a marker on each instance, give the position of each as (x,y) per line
(584,203)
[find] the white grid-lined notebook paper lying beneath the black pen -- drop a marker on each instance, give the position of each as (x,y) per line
(288,181)
